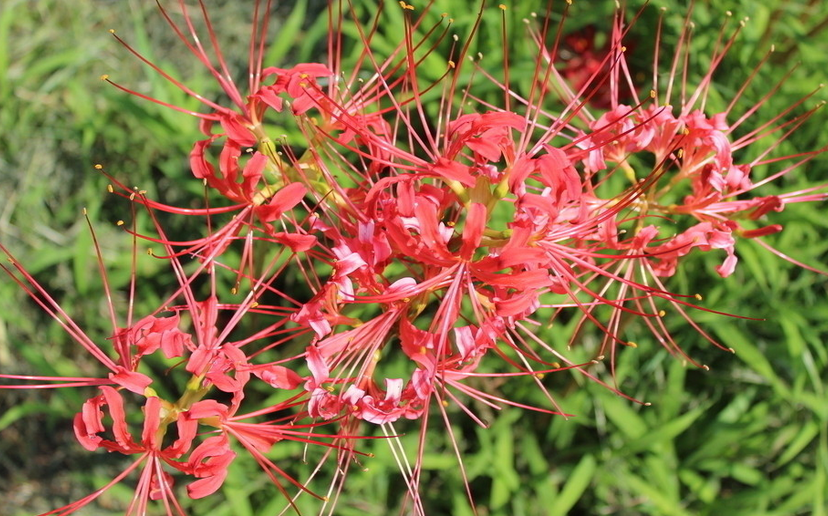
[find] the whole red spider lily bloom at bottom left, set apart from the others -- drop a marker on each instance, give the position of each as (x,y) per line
(214,364)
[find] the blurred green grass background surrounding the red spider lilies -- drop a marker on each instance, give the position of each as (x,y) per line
(749,437)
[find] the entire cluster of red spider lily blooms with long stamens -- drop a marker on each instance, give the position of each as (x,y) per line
(428,228)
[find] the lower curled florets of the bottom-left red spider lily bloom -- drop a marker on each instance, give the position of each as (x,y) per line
(207,462)
